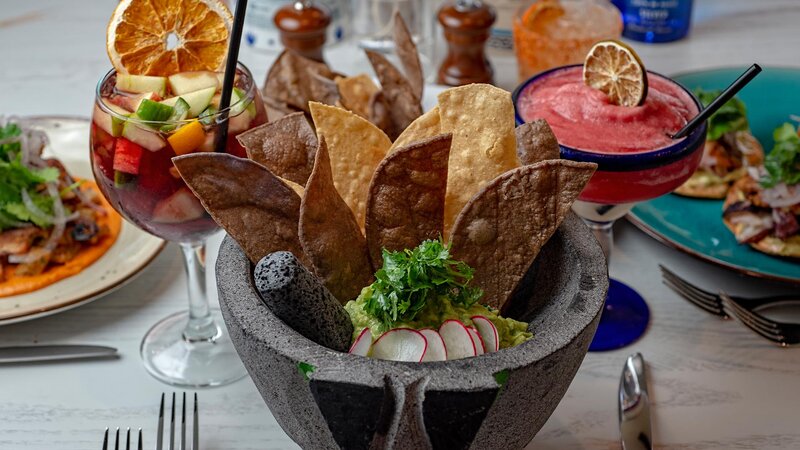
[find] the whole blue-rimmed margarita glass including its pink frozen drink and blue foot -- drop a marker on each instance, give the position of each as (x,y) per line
(636,157)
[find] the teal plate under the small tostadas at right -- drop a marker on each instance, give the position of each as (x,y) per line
(695,225)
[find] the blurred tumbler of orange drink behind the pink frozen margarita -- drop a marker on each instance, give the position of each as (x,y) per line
(552,37)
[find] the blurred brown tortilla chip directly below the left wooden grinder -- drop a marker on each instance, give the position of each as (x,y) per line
(290,80)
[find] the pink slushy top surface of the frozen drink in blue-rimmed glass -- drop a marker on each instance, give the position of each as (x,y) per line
(583,118)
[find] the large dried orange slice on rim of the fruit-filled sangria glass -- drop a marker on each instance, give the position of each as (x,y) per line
(164,37)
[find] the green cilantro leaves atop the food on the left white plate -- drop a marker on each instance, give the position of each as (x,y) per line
(14,177)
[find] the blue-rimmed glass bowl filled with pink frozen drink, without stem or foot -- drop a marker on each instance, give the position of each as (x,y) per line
(637,160)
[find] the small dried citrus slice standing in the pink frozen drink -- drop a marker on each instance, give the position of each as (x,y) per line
(614,68)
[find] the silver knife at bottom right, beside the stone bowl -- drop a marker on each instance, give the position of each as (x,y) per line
(634,406)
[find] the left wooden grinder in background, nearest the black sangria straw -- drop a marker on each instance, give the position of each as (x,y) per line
(303,27)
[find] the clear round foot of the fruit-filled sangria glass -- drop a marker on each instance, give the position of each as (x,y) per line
(170,358)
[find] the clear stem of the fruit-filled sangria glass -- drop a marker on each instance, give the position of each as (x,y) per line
(201,326)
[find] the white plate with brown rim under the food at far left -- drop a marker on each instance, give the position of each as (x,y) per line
(132,252)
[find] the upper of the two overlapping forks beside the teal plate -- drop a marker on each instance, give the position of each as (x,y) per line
(711,302)
